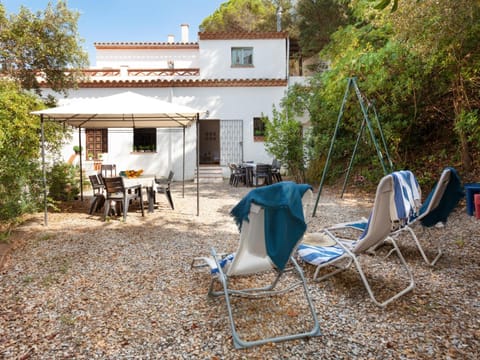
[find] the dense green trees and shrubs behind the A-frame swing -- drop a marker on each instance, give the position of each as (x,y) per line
(419,67)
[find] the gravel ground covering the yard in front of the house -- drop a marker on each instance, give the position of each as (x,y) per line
(87,289)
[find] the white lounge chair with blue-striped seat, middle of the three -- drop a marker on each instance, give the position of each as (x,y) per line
(342,252)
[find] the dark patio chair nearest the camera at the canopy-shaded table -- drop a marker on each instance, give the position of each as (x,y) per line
(117,191)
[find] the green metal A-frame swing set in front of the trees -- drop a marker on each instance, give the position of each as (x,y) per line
(352,82)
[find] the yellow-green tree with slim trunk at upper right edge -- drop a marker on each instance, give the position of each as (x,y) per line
(444,35)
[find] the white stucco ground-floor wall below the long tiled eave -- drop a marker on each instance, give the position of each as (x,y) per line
(228,103)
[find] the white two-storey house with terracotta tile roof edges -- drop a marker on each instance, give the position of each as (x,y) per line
(232,78)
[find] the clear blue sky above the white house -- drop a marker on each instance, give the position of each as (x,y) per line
(129,20)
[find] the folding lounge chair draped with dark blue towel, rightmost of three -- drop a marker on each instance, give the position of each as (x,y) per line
(441,201)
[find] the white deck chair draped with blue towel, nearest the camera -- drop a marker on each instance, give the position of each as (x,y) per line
(271,224)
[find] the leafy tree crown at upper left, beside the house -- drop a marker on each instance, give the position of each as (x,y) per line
(45,43)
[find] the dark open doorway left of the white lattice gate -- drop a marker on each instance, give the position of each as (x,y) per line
(210,142)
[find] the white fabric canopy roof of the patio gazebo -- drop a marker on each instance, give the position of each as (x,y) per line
(124,110)
